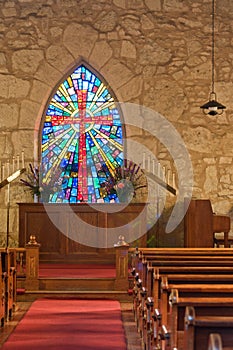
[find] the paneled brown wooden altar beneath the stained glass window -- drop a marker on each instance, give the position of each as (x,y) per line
(59,228)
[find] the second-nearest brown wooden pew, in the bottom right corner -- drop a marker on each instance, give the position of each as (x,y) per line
(198,328)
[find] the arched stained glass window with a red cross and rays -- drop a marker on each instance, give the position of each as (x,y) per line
(81,133)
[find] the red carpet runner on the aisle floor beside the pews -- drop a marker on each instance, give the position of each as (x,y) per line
(61,324)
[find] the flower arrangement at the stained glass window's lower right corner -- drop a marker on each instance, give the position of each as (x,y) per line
(121,182)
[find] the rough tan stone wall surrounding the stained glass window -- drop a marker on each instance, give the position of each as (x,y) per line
(152,53)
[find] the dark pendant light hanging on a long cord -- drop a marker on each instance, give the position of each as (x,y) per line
(213,107)
